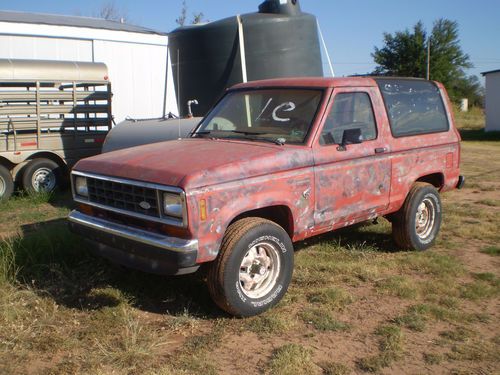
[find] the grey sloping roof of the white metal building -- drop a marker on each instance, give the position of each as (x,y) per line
(73,21)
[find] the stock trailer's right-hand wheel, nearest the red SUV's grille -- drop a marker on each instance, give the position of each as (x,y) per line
(41,175)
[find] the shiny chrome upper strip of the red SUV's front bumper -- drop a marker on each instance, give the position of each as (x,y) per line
(133,234)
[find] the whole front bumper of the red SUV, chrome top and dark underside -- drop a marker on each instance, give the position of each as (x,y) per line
(136,248)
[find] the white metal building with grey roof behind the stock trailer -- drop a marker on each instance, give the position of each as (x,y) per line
(136,57)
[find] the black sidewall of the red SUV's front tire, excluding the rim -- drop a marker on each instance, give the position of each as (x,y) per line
(244,305)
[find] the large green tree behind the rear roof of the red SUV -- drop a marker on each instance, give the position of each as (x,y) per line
(405,54)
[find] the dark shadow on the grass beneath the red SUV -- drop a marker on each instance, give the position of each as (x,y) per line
(55,263)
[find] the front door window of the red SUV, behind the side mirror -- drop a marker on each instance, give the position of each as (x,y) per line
(349,111)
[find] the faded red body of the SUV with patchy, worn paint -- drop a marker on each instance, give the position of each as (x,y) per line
(307,188)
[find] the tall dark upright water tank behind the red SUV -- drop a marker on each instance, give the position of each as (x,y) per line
(280,41)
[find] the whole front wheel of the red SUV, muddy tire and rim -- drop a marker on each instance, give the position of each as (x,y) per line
(253,269)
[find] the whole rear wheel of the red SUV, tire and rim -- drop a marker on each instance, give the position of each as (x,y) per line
(416,225)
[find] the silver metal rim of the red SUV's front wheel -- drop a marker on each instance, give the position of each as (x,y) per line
(259,270)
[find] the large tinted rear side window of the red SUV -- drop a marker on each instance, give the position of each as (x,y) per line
(414,107)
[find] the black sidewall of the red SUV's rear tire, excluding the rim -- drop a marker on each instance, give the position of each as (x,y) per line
(431,193)
